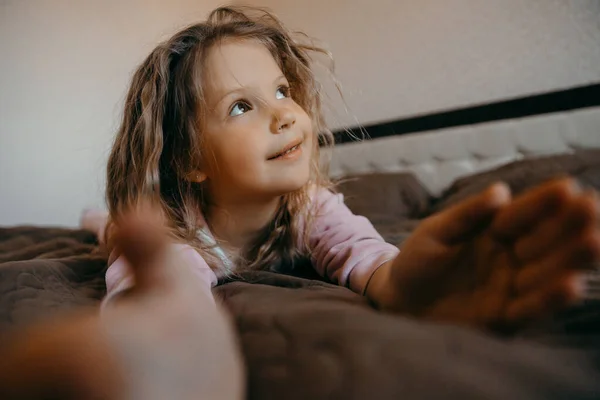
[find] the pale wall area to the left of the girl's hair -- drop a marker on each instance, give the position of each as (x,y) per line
(64,69)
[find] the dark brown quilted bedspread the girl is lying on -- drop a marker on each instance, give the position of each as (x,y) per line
(306,339)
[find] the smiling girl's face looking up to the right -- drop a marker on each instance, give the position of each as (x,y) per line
(259,139)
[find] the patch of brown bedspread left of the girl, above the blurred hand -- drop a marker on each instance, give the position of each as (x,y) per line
(47,270)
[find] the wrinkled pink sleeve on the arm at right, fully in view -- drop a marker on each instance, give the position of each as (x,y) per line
(345,247)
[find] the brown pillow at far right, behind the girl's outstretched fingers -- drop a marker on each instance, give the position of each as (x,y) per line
(583,165)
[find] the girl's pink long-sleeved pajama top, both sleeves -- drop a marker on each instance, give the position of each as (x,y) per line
(345,248)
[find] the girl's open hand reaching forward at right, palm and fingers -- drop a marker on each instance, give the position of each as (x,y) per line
(494,263)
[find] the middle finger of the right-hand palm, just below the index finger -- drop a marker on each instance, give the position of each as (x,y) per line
(581,214)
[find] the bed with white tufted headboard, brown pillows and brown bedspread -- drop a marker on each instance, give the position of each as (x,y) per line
(304,338)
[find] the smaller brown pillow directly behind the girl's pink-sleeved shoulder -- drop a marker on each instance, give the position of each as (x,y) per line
(385,197)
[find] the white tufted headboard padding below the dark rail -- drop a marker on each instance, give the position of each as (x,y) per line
(440,156)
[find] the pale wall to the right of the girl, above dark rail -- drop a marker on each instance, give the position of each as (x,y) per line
(400,58)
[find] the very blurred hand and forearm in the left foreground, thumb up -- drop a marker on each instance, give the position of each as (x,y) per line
(165,339)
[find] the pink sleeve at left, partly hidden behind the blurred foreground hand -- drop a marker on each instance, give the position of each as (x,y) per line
(119,276)
